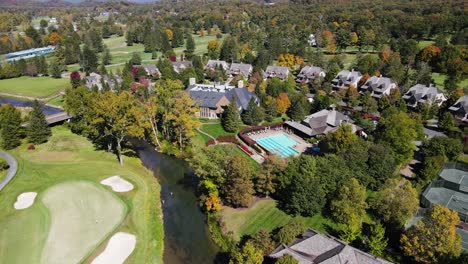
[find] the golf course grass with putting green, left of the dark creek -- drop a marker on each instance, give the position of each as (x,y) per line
(69,158)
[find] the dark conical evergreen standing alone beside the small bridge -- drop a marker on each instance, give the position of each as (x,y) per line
(38,130)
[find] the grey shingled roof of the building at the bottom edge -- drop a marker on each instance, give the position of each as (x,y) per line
(312,247)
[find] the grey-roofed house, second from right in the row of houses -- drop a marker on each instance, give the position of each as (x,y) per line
(422,94)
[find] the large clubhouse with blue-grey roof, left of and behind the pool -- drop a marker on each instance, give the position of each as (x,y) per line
(211,98)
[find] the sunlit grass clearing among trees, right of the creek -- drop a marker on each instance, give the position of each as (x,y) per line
(265,214)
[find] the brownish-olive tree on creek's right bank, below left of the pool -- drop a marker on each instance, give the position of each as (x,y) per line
(238,187)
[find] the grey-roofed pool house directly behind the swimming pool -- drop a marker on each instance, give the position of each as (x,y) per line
(321,123)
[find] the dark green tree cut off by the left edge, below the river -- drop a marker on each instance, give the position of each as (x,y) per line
(10,127)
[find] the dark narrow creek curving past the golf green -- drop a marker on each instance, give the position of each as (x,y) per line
(186,236)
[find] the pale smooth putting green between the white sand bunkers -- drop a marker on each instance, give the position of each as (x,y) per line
(82,214)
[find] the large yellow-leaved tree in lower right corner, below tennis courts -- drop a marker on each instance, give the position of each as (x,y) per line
(434,237)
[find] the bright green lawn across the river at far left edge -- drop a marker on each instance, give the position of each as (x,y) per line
(33,86)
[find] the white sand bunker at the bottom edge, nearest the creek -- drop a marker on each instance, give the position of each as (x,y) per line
(120,246)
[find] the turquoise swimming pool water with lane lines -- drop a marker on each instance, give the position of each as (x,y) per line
(279,144)
